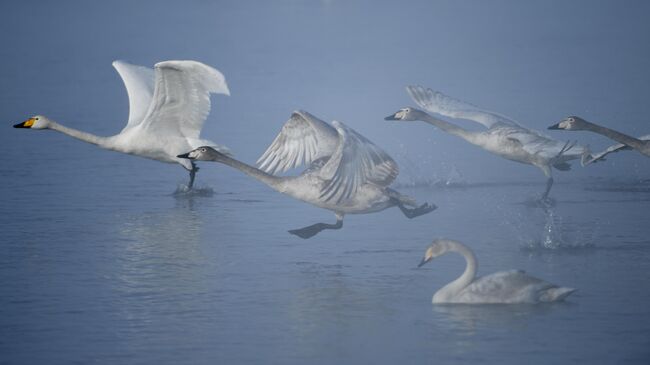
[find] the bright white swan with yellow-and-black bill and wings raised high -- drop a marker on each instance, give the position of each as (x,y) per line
(167,109)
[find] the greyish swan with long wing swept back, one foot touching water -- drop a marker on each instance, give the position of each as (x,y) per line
(504,137)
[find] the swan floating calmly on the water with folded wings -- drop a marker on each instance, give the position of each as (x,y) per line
(507,287)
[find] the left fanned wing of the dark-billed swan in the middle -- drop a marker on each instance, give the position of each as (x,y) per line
(302,140)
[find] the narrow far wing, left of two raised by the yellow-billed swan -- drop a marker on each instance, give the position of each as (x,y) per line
(139,84)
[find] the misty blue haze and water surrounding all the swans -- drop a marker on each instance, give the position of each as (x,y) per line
(101,264)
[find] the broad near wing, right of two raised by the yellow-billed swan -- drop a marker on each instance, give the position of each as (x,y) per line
(181,98)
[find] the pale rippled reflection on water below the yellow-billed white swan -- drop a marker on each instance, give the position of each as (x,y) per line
(159,264)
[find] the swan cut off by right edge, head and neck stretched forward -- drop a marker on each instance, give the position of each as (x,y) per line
(573,123)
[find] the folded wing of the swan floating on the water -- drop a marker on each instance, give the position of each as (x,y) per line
(514,286)
